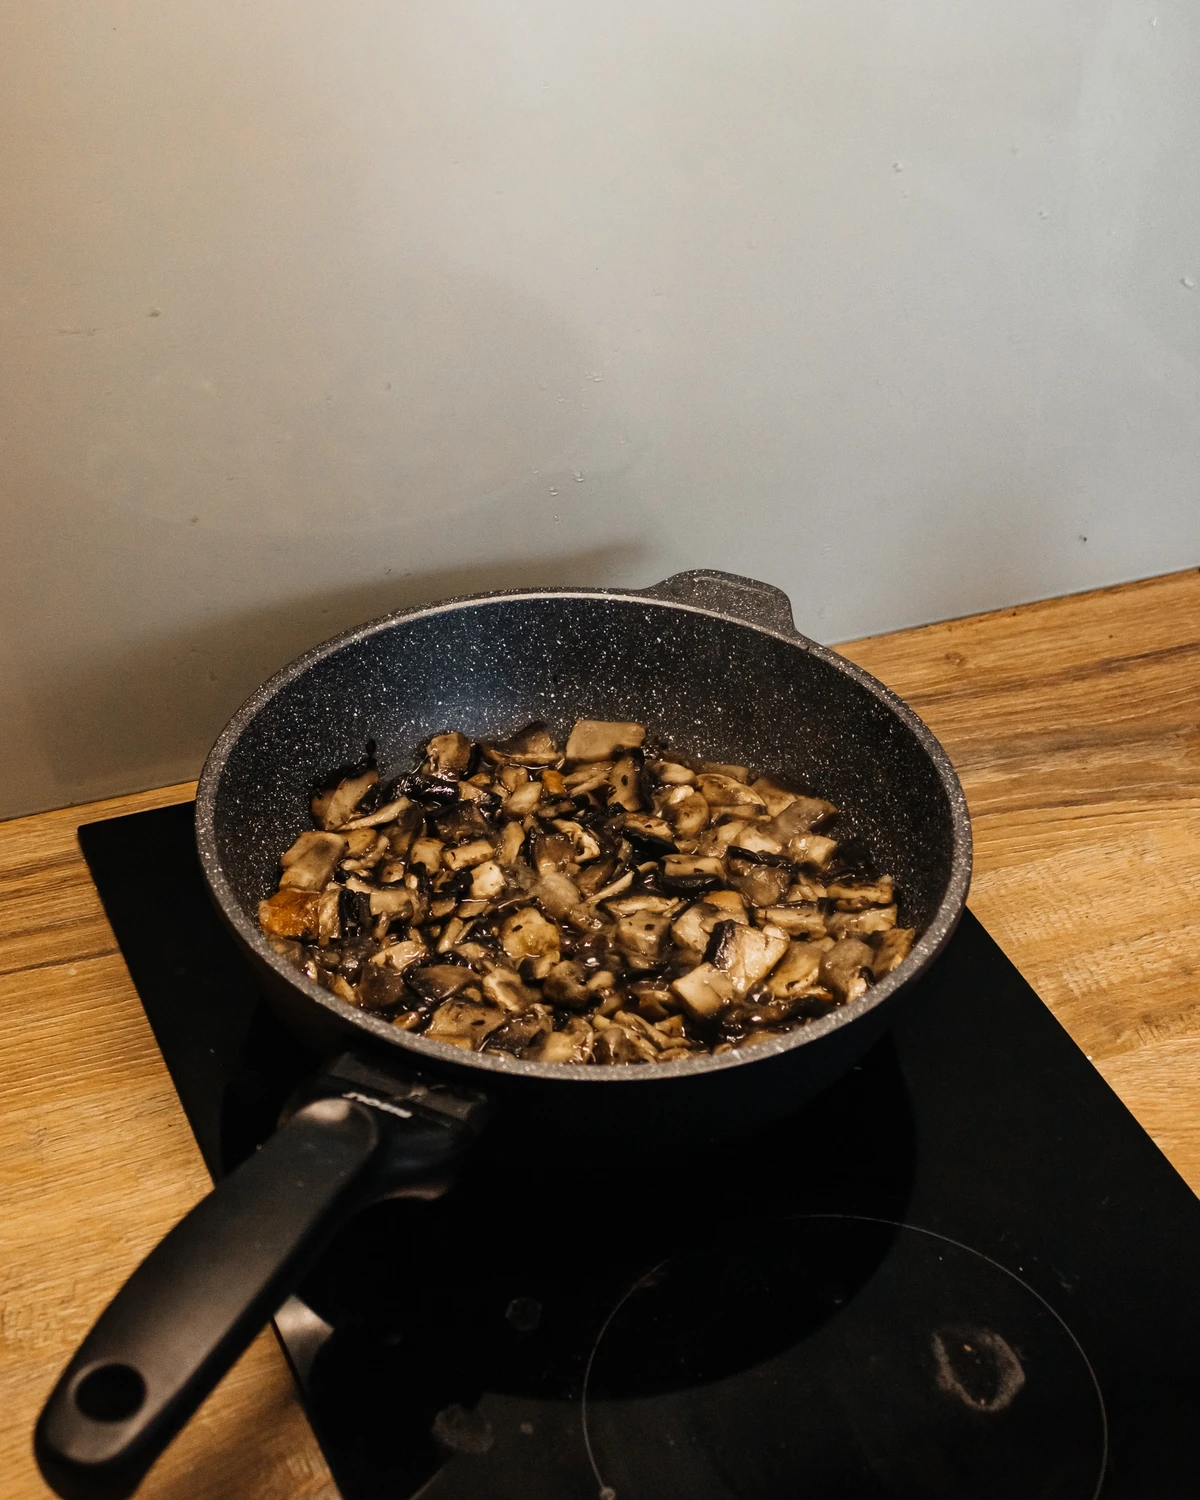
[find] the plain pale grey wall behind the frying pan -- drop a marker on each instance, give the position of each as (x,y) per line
(313,310)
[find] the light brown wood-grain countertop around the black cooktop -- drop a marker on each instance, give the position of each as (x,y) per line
(1075,725)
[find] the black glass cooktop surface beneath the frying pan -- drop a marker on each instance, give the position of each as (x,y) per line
(964,1271)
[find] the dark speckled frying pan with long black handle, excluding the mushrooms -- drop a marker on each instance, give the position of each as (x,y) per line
(709,662)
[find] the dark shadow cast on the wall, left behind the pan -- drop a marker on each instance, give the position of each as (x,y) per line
(172,704)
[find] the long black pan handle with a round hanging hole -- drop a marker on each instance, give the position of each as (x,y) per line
(206,1291)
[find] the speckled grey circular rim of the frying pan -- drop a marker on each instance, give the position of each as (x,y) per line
(416,1048)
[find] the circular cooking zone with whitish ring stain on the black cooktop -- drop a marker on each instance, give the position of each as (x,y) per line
(832,1355)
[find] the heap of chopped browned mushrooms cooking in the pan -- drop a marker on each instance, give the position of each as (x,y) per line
(590,905)
